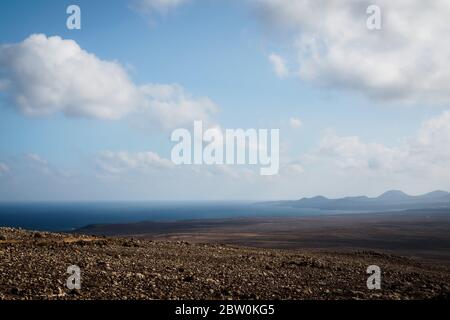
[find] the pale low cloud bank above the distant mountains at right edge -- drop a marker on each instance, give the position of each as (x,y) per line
(426,154)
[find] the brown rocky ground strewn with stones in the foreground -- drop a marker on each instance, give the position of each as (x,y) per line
(33,265)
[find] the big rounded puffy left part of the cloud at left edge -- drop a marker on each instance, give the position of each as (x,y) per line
(48,75)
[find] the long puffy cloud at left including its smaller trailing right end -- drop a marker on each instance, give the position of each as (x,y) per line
(45,75)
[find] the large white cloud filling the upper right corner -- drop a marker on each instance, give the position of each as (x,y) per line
(405,61)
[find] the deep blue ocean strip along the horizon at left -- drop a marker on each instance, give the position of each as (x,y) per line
(69,216)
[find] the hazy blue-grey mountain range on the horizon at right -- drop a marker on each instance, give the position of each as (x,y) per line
(390,200)
